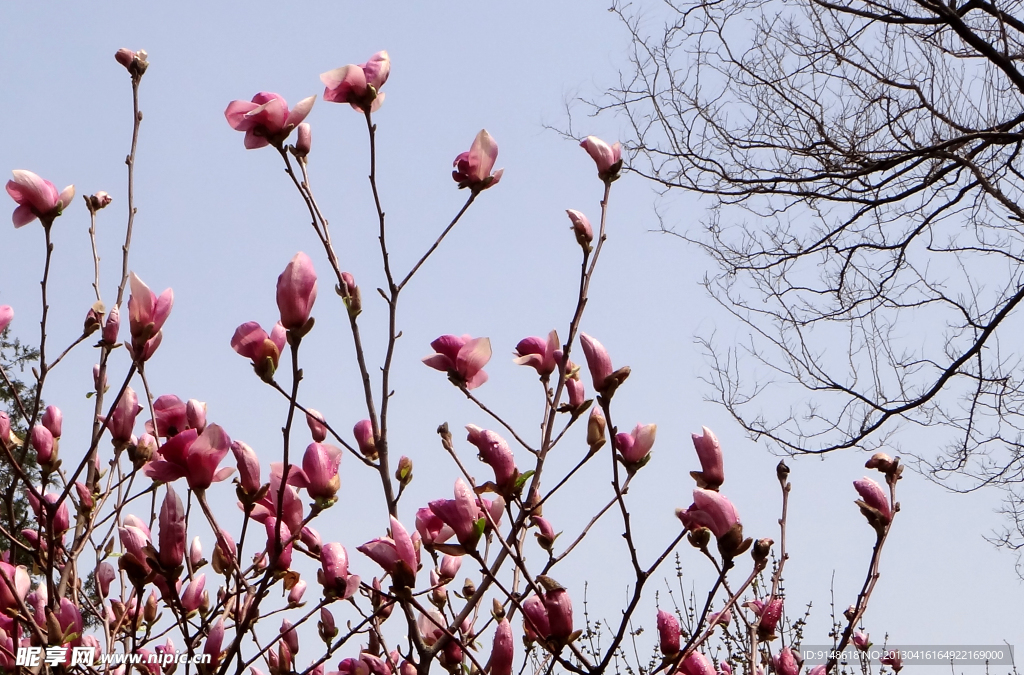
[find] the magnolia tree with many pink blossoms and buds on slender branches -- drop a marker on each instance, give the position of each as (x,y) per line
(108,568)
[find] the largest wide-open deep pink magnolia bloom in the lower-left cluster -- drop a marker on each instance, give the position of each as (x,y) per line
(193,456)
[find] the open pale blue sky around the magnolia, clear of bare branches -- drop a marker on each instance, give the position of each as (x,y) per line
(219,224)
